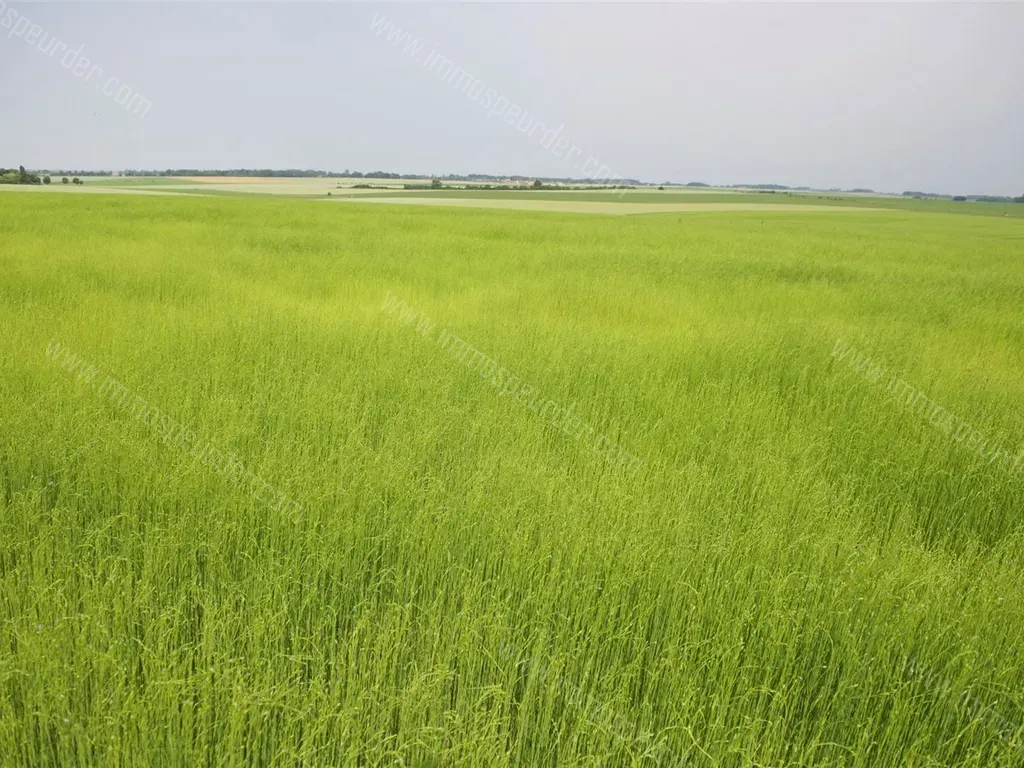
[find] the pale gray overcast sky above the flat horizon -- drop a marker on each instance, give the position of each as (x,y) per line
(884,96)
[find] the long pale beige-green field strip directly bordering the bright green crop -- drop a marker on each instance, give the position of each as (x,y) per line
(557,206)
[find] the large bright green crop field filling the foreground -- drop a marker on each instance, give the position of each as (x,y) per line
(349,485)
